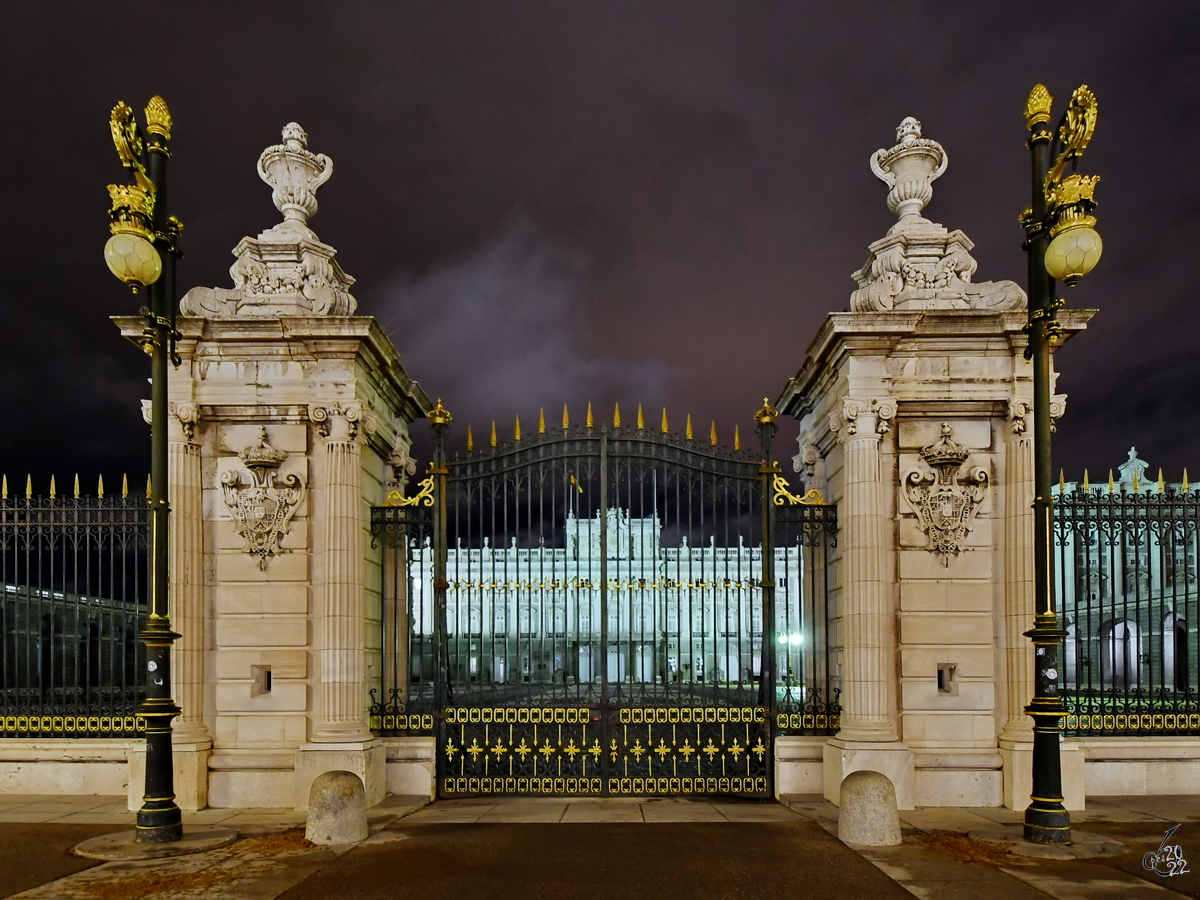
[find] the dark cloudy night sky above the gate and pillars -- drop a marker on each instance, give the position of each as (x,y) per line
(550,202)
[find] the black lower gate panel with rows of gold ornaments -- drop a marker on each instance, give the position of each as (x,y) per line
(639,751)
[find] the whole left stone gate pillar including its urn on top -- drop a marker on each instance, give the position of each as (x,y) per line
(289,411)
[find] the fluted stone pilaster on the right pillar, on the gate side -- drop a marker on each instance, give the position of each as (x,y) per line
(868,640)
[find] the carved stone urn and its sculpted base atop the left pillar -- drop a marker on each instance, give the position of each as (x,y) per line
(286,271)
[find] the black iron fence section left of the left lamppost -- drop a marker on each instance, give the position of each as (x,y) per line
(73,604)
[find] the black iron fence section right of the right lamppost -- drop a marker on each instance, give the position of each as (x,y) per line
(1127,592)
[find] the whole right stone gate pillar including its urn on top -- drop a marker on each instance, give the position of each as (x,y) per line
(914,401)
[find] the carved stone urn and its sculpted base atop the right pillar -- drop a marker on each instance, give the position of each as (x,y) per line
(920,265)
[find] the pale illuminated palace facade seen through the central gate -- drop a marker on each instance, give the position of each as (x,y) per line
(675,614)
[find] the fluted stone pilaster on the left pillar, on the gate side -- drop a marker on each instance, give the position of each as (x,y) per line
(343,655)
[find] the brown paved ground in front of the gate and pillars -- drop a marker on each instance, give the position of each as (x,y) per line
(520,847)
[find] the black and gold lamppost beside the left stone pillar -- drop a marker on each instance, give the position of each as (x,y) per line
(142,253)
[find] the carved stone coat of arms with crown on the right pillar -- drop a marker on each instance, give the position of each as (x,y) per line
(945,505)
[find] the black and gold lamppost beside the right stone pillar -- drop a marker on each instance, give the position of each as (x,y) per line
(1063,247)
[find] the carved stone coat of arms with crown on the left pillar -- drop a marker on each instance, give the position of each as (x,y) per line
(262,509)
